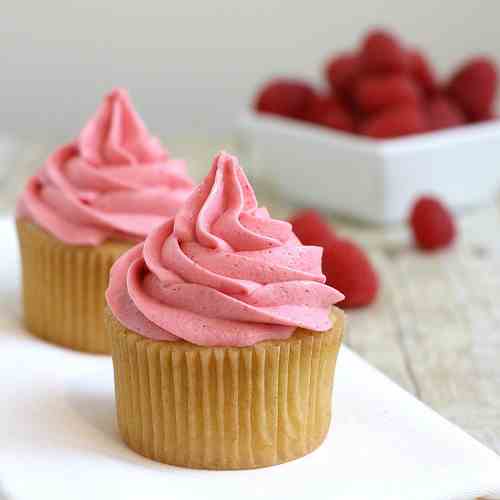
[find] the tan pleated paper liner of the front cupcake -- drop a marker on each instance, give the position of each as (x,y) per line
(224,408)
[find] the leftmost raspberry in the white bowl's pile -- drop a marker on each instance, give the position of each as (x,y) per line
(285,97)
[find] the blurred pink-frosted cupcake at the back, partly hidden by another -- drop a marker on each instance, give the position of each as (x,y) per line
(92,200)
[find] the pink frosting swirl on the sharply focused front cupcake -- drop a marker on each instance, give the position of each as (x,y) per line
(221,272)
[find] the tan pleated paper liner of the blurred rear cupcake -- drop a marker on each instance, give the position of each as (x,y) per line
(63,288)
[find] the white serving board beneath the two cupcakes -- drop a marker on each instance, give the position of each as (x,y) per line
(59,441)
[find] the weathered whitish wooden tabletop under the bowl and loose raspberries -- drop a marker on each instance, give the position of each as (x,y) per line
(435,328)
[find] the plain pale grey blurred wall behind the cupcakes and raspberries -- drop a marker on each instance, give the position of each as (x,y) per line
(191,66)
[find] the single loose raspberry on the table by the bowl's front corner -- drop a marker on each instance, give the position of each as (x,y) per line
(432,224)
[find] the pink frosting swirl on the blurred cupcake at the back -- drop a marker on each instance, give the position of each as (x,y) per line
(114,181)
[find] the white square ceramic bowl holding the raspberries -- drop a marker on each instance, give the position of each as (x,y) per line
(372,180)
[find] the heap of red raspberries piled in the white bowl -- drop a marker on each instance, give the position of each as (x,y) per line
(384,90)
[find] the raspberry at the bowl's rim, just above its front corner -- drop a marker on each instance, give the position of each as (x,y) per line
(395,122)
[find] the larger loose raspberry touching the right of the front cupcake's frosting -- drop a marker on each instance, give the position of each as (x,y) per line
(348,269)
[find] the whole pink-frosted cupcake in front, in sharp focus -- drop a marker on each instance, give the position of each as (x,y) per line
(224,337)
